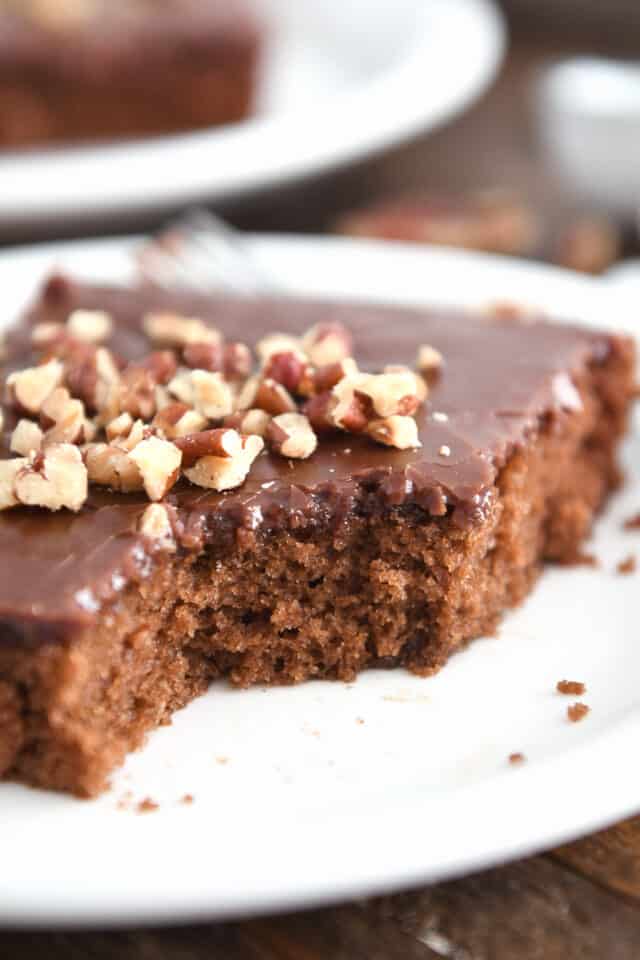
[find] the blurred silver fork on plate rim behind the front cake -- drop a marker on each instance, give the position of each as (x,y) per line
(201,252)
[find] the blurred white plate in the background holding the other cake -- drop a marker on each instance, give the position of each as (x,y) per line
(341,80)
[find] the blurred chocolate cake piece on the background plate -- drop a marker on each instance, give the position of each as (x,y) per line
(89,69)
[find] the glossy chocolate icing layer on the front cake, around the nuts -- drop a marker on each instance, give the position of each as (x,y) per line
(58,570)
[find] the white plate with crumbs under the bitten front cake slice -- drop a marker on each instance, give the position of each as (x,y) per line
(326,790)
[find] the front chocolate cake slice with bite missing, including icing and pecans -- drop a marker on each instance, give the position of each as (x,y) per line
(370,502)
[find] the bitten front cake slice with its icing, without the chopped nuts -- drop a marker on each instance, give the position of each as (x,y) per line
(359,556)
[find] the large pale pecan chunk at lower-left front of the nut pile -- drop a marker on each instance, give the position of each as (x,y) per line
(54,479)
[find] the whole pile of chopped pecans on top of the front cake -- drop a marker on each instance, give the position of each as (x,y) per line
(193,407)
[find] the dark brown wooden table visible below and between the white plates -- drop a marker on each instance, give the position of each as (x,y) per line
(580,902)
